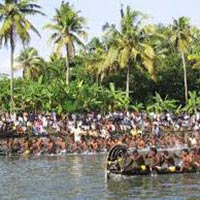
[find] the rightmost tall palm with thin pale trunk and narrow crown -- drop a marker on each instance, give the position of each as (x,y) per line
(181,36)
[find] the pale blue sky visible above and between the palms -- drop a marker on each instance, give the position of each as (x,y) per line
(98,12)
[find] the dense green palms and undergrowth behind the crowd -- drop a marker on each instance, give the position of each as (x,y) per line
(134,65)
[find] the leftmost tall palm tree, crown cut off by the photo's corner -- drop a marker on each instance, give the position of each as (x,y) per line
(13,16)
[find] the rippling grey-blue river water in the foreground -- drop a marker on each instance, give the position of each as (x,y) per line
(82,177)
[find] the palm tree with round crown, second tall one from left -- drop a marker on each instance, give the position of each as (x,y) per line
(68,27)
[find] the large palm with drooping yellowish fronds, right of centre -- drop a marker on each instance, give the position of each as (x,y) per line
(129,46)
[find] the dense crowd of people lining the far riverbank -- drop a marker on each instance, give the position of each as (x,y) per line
(49,133)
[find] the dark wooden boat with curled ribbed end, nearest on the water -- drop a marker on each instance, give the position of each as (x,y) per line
(118,152)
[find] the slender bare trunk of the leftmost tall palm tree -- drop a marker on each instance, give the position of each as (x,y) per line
(12,47)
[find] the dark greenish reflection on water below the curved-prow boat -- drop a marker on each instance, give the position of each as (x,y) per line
(161,187)
